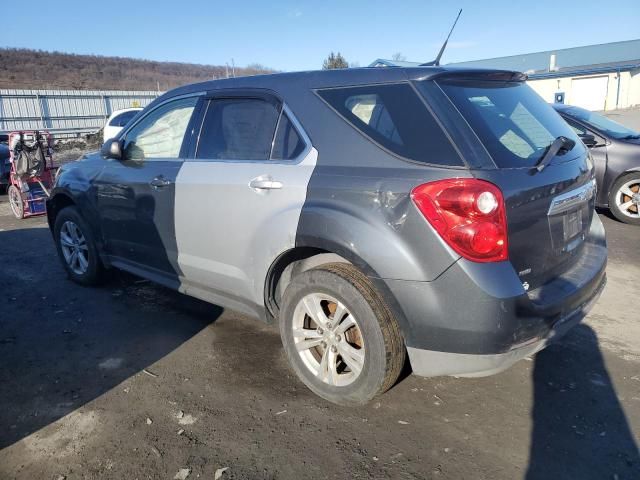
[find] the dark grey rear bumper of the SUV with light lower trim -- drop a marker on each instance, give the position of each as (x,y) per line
(477,319)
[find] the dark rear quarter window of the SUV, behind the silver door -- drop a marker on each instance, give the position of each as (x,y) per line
(396,118)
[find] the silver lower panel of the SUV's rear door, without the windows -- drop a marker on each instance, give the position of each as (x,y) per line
(233,219)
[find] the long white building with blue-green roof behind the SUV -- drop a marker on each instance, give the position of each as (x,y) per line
(596,77)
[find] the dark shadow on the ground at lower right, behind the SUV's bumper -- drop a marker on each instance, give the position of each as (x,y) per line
(579,426)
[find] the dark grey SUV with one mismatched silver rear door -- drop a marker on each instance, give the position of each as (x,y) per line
(373,213)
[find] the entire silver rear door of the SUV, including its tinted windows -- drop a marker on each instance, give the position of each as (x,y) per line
(238,200)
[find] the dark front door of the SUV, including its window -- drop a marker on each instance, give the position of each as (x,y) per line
(136,194)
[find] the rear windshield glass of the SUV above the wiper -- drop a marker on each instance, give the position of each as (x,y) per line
(515,125)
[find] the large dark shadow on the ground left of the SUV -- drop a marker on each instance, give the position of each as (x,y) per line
(62,345)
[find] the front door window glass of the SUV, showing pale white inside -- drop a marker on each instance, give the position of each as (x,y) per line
(160,134)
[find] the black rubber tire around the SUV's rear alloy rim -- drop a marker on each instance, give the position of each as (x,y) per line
(384,350)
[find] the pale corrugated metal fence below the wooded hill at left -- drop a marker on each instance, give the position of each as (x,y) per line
(65,113)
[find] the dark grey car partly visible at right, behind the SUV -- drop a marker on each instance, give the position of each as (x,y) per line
(615,150)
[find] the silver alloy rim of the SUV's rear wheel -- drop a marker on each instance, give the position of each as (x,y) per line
(328,339)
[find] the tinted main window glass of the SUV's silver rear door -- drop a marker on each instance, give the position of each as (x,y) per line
(238,129)
